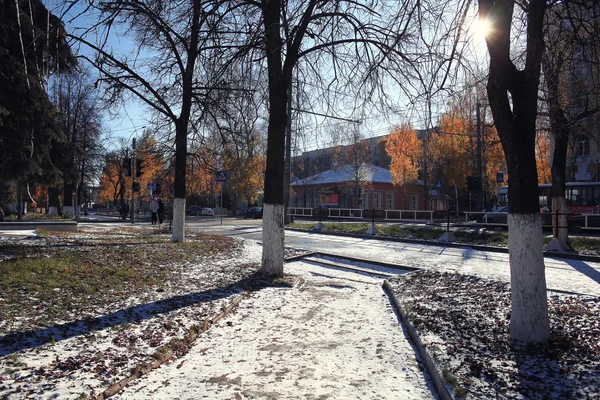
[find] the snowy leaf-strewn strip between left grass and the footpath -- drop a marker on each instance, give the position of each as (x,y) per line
(86,356)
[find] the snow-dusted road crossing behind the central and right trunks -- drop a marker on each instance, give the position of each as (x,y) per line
(562,275)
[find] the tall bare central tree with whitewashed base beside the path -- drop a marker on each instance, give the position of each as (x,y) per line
(347,37)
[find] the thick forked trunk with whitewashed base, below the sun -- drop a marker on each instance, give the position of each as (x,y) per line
(513,98)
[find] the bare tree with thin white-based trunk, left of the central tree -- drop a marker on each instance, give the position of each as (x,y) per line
(175,66)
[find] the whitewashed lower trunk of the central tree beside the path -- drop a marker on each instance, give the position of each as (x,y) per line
(273,240)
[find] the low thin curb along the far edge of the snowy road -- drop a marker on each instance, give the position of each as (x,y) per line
(547,254)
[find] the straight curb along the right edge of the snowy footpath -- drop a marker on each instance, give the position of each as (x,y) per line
(430,365)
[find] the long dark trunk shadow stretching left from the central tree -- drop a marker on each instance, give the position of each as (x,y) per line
(15,342)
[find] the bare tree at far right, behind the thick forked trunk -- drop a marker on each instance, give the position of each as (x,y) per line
(569,62)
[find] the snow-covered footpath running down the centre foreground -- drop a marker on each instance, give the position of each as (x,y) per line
(334,336)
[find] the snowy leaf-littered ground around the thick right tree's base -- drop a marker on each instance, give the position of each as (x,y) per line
(463,321)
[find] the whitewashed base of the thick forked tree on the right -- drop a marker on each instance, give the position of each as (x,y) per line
(529,311)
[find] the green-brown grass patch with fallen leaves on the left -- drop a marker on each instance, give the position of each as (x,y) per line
(66,274)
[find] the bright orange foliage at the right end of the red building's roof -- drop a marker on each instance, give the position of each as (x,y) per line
(405,150)
